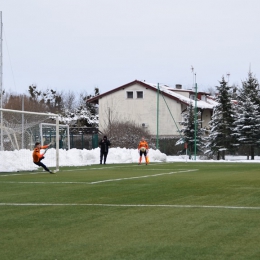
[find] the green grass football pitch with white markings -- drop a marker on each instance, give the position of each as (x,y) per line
(125,211)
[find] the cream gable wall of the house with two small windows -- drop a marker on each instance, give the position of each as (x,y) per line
(116,106)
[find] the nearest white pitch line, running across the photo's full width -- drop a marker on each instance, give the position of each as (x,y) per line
(129,205)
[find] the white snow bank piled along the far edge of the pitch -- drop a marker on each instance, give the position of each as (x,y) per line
(21,160)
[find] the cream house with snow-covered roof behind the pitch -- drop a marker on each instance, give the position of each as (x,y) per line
(156,108)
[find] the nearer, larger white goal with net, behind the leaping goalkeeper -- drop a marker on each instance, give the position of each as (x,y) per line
(19,131)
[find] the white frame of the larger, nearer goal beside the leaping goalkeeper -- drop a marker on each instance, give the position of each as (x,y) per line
(32,113)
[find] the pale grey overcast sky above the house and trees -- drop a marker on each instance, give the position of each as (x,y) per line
(82,44)
